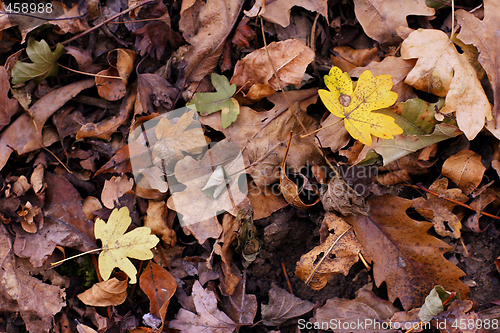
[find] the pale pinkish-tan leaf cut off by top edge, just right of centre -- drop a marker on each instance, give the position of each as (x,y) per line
(279,11)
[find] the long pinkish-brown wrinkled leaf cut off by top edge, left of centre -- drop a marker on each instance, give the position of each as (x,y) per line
(206,28)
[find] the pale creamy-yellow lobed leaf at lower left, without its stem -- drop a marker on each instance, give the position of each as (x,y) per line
(118,245)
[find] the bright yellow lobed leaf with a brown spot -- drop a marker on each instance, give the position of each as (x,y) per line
(371,93)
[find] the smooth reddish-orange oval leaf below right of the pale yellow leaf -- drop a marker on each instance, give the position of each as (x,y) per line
(159,285)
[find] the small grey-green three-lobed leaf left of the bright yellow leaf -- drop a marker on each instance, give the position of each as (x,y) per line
(208,103)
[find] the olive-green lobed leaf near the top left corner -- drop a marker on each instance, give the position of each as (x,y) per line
(44,62)
